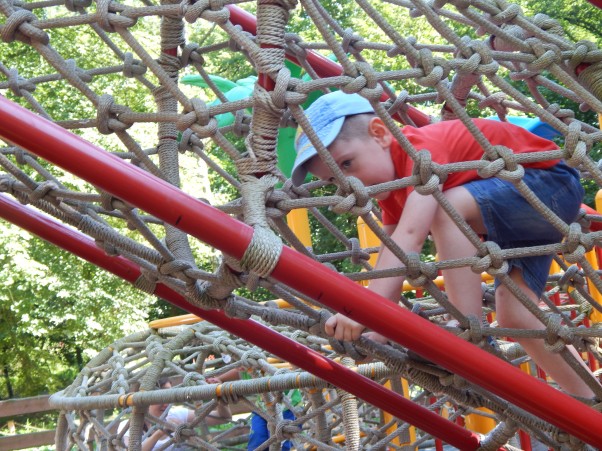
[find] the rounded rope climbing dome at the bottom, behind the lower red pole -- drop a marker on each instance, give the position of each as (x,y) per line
(201,351)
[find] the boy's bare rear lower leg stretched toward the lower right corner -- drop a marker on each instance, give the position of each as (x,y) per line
(510,313)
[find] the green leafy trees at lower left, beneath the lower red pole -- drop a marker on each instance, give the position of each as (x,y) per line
(56,312)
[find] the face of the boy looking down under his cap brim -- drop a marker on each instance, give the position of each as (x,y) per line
(367,159)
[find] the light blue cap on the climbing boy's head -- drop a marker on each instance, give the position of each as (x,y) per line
(326,116)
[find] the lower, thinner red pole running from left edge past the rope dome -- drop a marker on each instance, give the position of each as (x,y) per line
(81,245)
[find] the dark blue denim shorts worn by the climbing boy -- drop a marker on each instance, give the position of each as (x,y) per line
(512,222)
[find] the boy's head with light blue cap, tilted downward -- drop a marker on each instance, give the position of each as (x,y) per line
(357,139)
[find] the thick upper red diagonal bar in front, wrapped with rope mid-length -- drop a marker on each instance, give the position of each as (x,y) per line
(309,277)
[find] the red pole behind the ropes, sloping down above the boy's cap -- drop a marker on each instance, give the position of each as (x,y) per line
(322,65)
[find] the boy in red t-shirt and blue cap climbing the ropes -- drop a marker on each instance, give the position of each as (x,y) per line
(363,147)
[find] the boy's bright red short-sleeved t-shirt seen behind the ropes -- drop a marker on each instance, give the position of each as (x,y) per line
(451,142)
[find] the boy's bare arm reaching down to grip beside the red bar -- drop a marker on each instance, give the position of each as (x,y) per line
(409,235)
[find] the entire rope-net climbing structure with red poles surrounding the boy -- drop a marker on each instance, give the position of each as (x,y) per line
(454,371)
